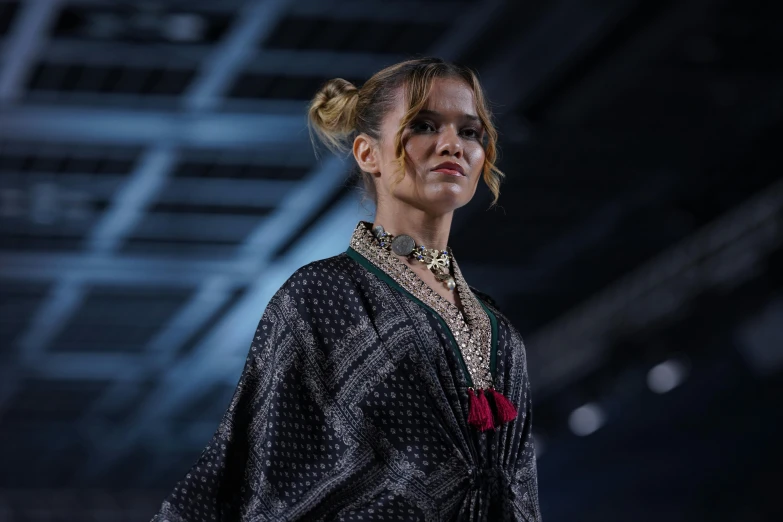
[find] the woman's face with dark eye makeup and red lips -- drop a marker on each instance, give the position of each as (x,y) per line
(443,145)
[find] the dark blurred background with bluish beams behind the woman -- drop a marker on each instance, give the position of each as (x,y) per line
(157,185)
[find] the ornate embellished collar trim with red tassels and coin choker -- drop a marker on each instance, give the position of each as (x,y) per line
(487,408)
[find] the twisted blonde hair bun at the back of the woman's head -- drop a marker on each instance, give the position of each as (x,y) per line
(332,112)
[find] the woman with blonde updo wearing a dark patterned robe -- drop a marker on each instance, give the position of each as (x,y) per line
(379,385)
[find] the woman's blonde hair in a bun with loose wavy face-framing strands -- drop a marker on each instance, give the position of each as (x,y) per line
(339,110)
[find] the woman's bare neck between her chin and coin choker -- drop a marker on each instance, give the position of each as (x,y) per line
(430,231)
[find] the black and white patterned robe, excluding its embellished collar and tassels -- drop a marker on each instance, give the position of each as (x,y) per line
(352,406)
